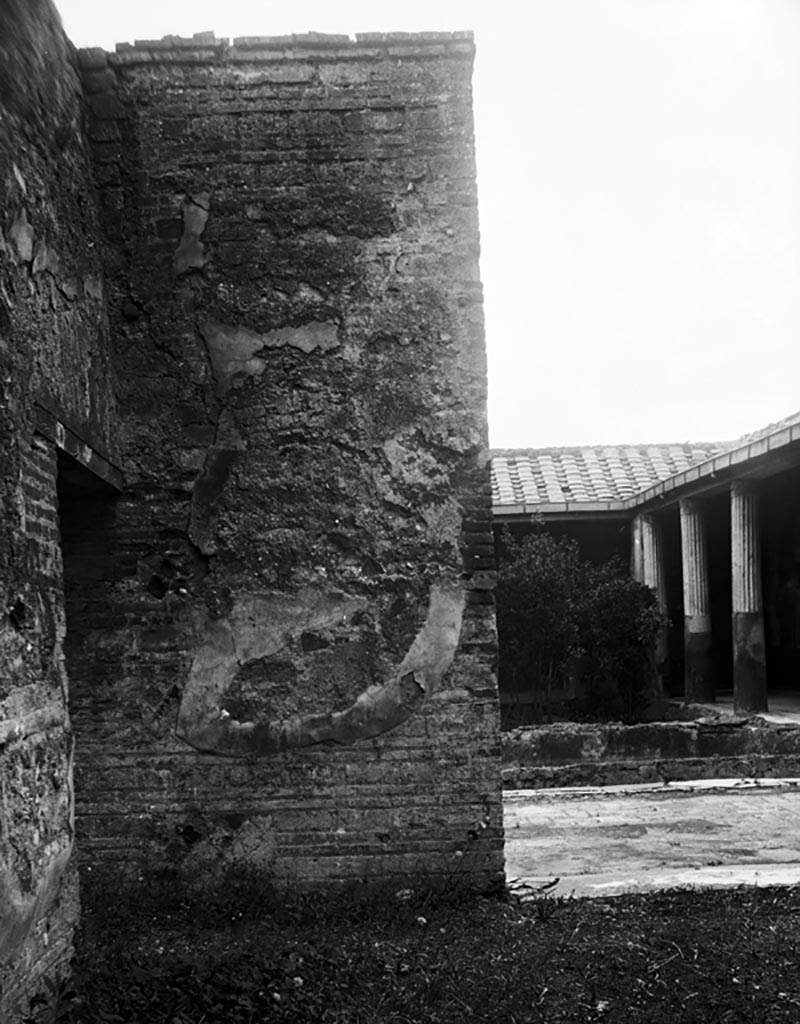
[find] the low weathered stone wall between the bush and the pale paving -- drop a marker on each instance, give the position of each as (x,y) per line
(572,754)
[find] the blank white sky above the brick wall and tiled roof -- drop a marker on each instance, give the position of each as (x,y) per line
(640,189)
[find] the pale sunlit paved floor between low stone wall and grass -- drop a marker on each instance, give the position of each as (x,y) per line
(603,842)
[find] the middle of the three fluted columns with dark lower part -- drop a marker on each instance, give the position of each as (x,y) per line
(699,678)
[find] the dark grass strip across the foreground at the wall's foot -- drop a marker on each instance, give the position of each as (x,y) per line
(246,956)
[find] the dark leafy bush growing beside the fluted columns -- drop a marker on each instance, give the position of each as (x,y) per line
(576,639)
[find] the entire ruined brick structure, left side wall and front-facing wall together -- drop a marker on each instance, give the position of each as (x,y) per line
(245,472)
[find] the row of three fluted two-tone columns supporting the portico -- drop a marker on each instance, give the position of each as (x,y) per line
(750,691)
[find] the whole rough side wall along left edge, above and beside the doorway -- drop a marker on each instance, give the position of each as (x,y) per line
(54,355)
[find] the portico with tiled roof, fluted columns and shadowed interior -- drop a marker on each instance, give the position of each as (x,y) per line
(719,543)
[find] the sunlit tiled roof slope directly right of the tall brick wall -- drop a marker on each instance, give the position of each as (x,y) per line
(575,476)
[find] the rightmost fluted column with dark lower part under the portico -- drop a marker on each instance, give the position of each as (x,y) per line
(749,650)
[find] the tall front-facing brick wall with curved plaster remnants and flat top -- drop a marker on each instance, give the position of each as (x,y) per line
(291,247)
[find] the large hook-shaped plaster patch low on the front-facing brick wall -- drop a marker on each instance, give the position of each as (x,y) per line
(259,626)
